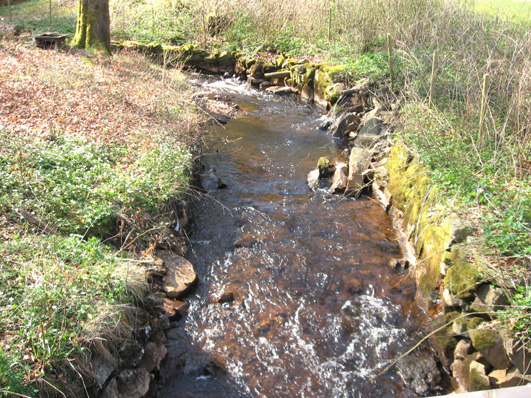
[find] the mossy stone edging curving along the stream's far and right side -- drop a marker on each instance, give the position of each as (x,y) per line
(403,183)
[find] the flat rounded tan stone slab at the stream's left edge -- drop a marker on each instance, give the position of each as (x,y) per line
(180,275)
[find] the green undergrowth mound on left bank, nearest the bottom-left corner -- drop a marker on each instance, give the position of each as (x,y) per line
(52,289)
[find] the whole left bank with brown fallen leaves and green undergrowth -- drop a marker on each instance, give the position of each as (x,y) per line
(97,150)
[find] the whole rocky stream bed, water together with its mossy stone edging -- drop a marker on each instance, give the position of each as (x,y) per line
(260,322)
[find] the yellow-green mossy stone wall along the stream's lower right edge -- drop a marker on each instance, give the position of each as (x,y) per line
(457,292)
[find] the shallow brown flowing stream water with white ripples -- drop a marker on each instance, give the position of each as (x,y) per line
(317,311)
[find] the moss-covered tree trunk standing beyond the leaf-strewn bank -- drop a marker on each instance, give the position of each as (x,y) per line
(93,25)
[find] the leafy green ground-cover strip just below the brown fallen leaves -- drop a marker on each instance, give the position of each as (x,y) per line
(77,187)
